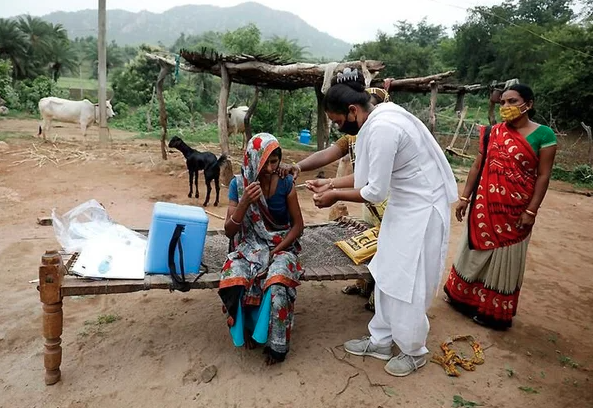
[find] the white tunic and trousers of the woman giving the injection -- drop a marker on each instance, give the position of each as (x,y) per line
(396,155)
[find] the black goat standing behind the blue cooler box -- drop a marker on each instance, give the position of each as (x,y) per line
(197,161)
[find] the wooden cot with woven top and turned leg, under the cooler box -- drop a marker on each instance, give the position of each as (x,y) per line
(56,281)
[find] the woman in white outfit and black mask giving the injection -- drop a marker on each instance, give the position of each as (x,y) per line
(396,157)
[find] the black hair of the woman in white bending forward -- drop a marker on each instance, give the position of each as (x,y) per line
(345,93)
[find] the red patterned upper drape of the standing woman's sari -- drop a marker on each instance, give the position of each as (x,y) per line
(504,190)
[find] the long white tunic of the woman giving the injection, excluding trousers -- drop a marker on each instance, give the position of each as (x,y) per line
(397,155)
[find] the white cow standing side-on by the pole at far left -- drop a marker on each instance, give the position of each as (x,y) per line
(83,112)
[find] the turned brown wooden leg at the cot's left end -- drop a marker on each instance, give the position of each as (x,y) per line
(51,273)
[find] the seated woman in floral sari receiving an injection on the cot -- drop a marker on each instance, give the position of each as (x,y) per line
(260,276)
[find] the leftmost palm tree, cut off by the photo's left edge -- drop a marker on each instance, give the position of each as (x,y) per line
(13,46)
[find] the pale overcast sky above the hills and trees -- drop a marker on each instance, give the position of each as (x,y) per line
(341,19)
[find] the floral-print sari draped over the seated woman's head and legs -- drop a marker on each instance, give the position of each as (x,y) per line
(252,281)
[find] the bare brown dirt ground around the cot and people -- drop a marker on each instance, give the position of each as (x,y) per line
(152,356)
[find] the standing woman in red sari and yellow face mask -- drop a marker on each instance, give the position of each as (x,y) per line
(504,190)
